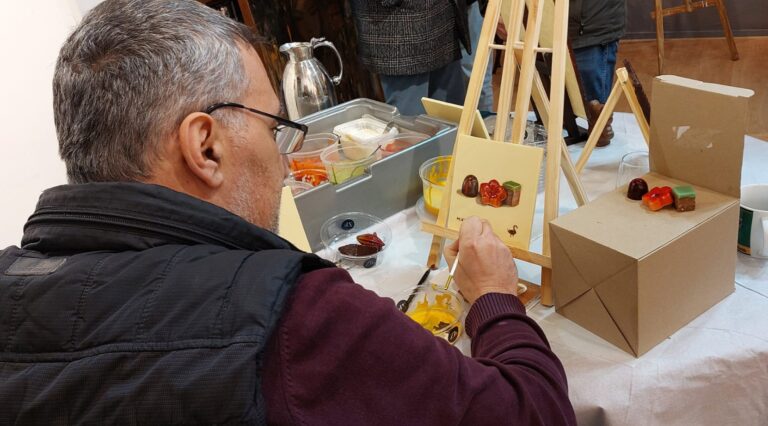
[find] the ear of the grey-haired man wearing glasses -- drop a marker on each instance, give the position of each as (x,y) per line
(202,146)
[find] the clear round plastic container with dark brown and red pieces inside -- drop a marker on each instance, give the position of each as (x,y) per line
(343,229)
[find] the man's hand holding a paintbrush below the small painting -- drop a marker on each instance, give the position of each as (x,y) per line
(486,264)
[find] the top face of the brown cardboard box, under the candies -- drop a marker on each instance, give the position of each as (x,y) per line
(628,227)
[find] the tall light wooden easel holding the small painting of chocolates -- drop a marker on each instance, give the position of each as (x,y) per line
(522,54)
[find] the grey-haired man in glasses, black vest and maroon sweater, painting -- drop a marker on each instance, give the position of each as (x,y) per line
(151,289)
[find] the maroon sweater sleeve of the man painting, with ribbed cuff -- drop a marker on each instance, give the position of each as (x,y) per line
(344,356)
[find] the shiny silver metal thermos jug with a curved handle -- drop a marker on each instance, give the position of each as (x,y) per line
(307,86)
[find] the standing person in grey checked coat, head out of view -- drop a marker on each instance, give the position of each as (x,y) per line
(414,47)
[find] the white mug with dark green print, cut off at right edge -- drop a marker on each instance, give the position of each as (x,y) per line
(753,221)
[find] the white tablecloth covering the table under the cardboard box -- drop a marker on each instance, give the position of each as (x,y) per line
(714,371)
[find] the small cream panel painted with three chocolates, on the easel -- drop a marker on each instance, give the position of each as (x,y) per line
(497,182)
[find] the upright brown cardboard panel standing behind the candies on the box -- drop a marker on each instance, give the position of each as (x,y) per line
(697,132)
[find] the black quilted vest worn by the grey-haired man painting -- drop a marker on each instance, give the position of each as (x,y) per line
(134,304)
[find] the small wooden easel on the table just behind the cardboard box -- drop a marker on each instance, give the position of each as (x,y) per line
(628,84)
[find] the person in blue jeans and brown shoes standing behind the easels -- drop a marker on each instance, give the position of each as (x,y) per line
(594,30)
